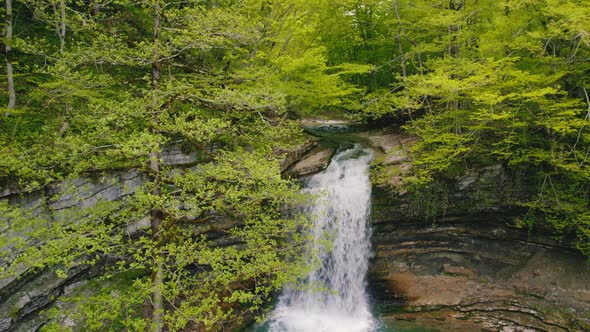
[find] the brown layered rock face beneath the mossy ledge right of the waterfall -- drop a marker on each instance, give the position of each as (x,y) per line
(475,271)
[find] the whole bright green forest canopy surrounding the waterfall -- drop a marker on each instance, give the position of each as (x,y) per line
(95,87)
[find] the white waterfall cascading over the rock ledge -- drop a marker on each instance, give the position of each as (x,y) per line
(342,213)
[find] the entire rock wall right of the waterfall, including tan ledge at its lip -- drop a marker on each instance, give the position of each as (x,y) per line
(451,259)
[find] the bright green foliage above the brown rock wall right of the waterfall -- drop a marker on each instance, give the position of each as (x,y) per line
(486,82)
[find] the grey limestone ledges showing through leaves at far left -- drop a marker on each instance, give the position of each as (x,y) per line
(24,295)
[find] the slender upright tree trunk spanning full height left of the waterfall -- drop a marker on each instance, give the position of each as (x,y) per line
(156,214)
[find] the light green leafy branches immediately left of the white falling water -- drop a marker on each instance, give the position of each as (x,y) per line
(208,283)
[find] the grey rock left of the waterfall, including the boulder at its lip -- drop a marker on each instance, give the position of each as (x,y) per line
(24,295)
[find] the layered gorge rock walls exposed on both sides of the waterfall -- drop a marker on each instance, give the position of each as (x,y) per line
(448,259)
